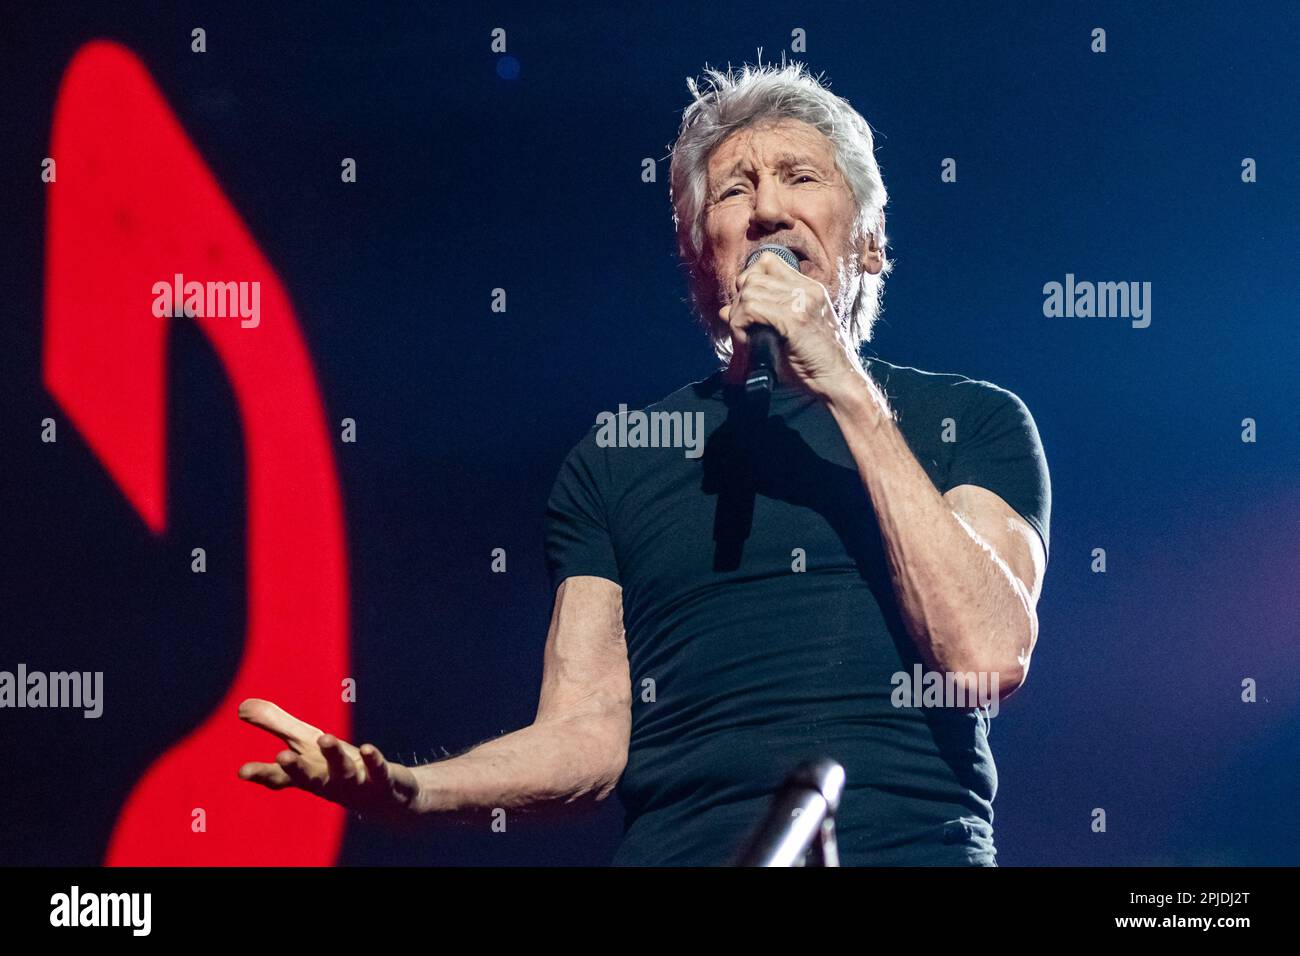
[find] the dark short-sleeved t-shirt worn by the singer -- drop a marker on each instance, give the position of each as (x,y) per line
(762,625)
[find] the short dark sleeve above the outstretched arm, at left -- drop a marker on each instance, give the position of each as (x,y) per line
(579,540)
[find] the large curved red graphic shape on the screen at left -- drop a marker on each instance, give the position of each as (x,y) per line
(135,205)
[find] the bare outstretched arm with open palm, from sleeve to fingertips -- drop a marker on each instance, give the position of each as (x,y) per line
(569,759)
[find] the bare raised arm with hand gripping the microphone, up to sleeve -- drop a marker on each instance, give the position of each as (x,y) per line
(967,569)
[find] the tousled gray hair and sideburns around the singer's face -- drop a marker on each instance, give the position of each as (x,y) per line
(759,94)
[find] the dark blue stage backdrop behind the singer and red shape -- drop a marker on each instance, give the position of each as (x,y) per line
(1117,167)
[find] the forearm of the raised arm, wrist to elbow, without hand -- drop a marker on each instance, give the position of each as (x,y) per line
(959,600)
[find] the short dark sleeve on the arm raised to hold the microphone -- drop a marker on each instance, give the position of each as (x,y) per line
(999,448)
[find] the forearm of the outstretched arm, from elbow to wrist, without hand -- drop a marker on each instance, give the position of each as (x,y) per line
(554,765)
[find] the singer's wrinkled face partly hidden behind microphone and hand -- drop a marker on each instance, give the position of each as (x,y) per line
(778,183)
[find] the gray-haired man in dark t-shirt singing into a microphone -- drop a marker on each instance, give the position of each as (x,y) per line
(722,617)
